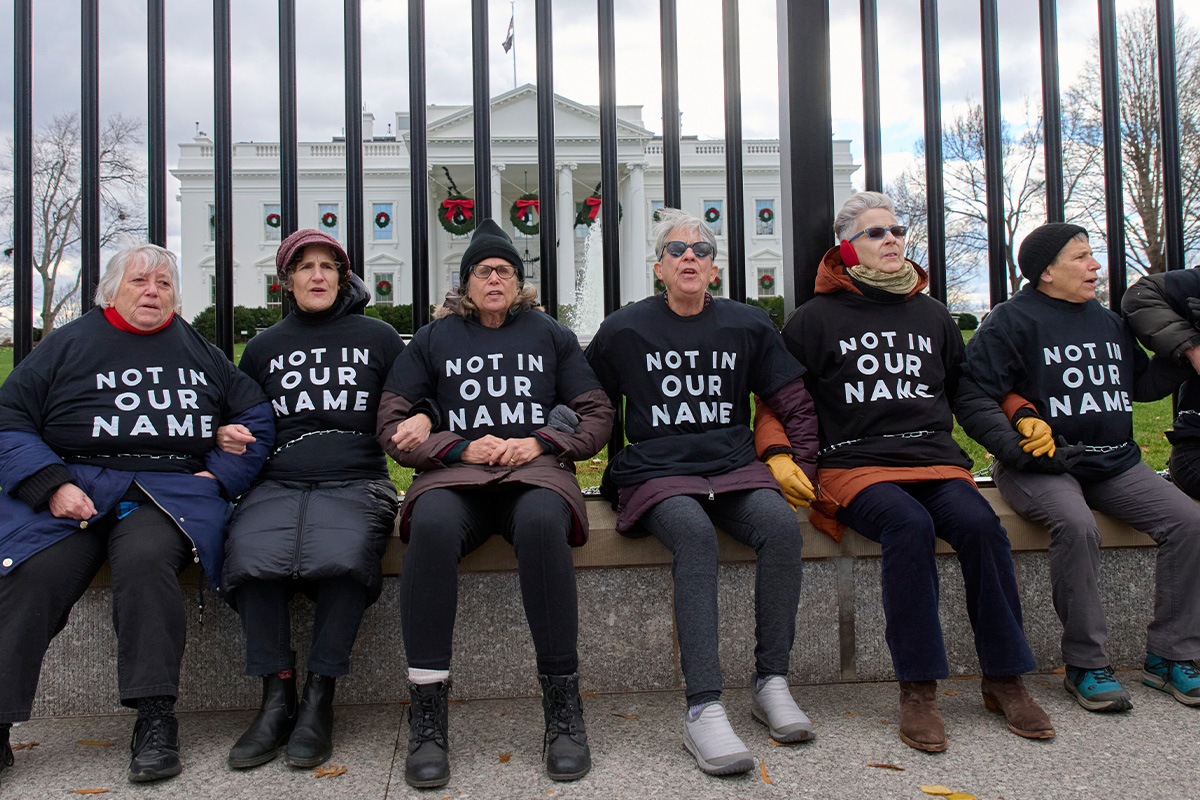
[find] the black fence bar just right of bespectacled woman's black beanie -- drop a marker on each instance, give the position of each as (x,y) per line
(548,206)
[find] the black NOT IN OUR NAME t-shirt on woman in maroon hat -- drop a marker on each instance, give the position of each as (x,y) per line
(325,375)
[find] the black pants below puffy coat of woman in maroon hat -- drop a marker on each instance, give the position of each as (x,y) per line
(263,606)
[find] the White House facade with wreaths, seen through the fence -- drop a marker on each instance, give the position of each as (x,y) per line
(387,200)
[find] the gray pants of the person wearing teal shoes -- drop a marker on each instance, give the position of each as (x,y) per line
(1142,500)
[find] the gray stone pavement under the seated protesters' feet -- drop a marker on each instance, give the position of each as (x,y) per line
(1149,753)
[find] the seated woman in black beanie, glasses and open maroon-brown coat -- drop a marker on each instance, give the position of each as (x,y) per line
(502,462)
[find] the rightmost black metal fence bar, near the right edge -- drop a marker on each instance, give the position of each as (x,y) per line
(1169,106)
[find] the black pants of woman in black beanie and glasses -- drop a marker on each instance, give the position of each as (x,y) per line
(447,525)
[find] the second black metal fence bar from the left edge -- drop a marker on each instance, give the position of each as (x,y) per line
(89,154)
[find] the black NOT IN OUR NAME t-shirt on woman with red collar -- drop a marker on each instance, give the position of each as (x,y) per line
(103,396)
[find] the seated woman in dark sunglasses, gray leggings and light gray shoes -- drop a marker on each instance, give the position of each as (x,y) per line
(686,363)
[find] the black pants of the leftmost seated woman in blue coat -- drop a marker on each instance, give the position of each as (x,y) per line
(147,554)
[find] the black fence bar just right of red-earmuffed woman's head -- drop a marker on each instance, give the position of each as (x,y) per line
(935,193)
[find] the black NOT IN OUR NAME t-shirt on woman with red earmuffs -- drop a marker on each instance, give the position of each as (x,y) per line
(881,370)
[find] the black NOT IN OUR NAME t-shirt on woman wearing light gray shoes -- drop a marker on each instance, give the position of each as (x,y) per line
(689,375)
